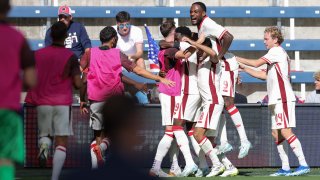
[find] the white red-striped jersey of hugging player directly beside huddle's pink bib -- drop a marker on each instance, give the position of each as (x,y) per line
(189,72)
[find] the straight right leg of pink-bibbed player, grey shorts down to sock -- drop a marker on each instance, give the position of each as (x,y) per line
(62,128)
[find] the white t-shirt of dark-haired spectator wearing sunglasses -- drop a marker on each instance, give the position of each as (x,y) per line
(127,43)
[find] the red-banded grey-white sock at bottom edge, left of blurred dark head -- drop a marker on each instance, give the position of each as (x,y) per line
(58,161)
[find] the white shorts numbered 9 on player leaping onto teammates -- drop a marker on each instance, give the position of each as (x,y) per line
(228,83)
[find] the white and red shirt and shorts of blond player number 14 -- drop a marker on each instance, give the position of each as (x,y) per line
(281,96)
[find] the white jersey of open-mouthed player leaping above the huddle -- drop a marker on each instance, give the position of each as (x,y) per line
(212,30)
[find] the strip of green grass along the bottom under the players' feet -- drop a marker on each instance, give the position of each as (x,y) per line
(253,173)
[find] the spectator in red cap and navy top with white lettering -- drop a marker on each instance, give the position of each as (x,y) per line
(77,40)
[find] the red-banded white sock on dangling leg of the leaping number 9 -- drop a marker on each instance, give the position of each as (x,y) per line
(237,121)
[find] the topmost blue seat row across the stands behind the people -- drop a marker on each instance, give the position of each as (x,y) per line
(168,12)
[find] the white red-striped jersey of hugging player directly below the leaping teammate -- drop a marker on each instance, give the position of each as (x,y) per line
(209,82)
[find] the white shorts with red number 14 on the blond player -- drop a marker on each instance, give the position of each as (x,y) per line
(283,115)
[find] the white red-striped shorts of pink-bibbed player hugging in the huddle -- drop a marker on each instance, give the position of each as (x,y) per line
(167,108)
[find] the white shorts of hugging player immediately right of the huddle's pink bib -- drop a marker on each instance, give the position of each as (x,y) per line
(188,107)
